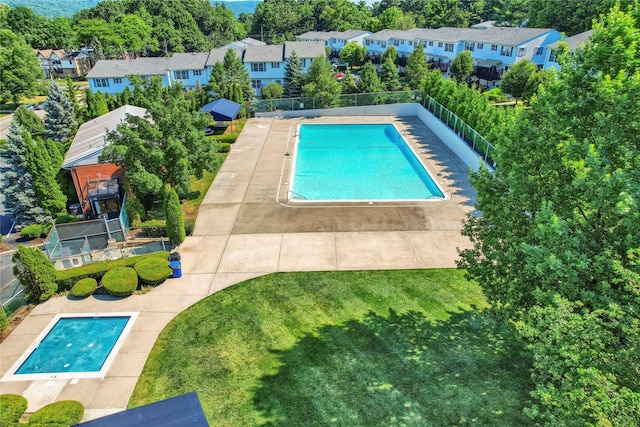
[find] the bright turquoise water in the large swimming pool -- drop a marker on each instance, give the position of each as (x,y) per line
(358,162)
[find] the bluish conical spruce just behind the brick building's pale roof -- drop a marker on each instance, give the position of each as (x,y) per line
(59,121)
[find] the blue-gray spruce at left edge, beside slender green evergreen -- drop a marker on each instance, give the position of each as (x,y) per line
(17,186)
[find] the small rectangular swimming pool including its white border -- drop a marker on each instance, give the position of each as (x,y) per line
(74,346)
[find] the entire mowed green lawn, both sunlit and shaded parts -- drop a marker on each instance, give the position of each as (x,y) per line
(367,348)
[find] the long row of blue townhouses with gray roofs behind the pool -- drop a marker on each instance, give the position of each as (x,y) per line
(493,49)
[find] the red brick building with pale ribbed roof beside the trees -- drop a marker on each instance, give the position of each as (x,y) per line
(98,184)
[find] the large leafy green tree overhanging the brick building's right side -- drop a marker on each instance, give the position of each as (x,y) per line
(168,151)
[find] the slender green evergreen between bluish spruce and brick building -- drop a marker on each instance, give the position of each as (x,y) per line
(43,172)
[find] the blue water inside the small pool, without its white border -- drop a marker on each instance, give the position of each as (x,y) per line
(75,344)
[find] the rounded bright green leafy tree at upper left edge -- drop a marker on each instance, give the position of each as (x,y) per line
(19,68)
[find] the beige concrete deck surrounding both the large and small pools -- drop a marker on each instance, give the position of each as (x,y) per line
(246,228)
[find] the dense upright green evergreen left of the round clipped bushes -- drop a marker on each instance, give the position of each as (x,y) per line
(35,272)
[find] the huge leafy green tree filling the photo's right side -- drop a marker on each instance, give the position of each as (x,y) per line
(556,247)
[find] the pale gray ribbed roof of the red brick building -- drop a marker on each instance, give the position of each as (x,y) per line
(92,136)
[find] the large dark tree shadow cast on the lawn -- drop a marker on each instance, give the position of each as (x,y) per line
(400,370)
